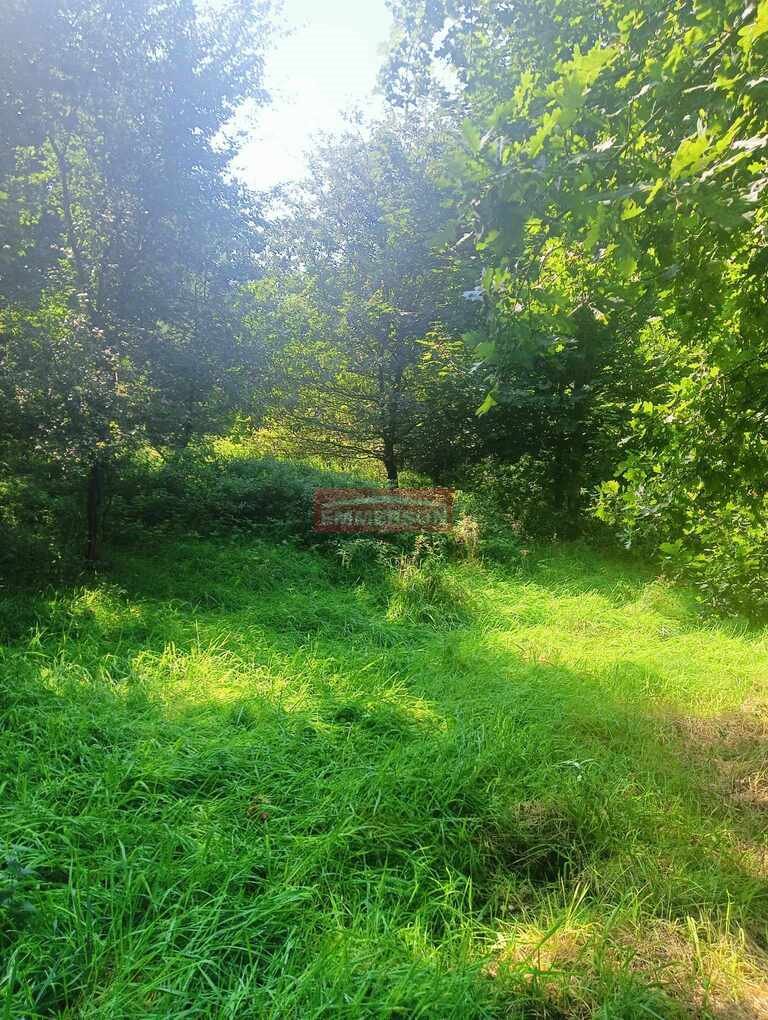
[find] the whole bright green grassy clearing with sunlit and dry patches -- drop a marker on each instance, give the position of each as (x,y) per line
(238,782)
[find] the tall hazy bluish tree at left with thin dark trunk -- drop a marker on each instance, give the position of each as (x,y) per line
(126,244)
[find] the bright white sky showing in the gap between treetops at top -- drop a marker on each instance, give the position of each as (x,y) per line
(326,66)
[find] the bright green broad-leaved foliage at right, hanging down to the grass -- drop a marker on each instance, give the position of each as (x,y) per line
(611,170)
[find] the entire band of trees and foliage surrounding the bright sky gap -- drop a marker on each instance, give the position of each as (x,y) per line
(546,262)
